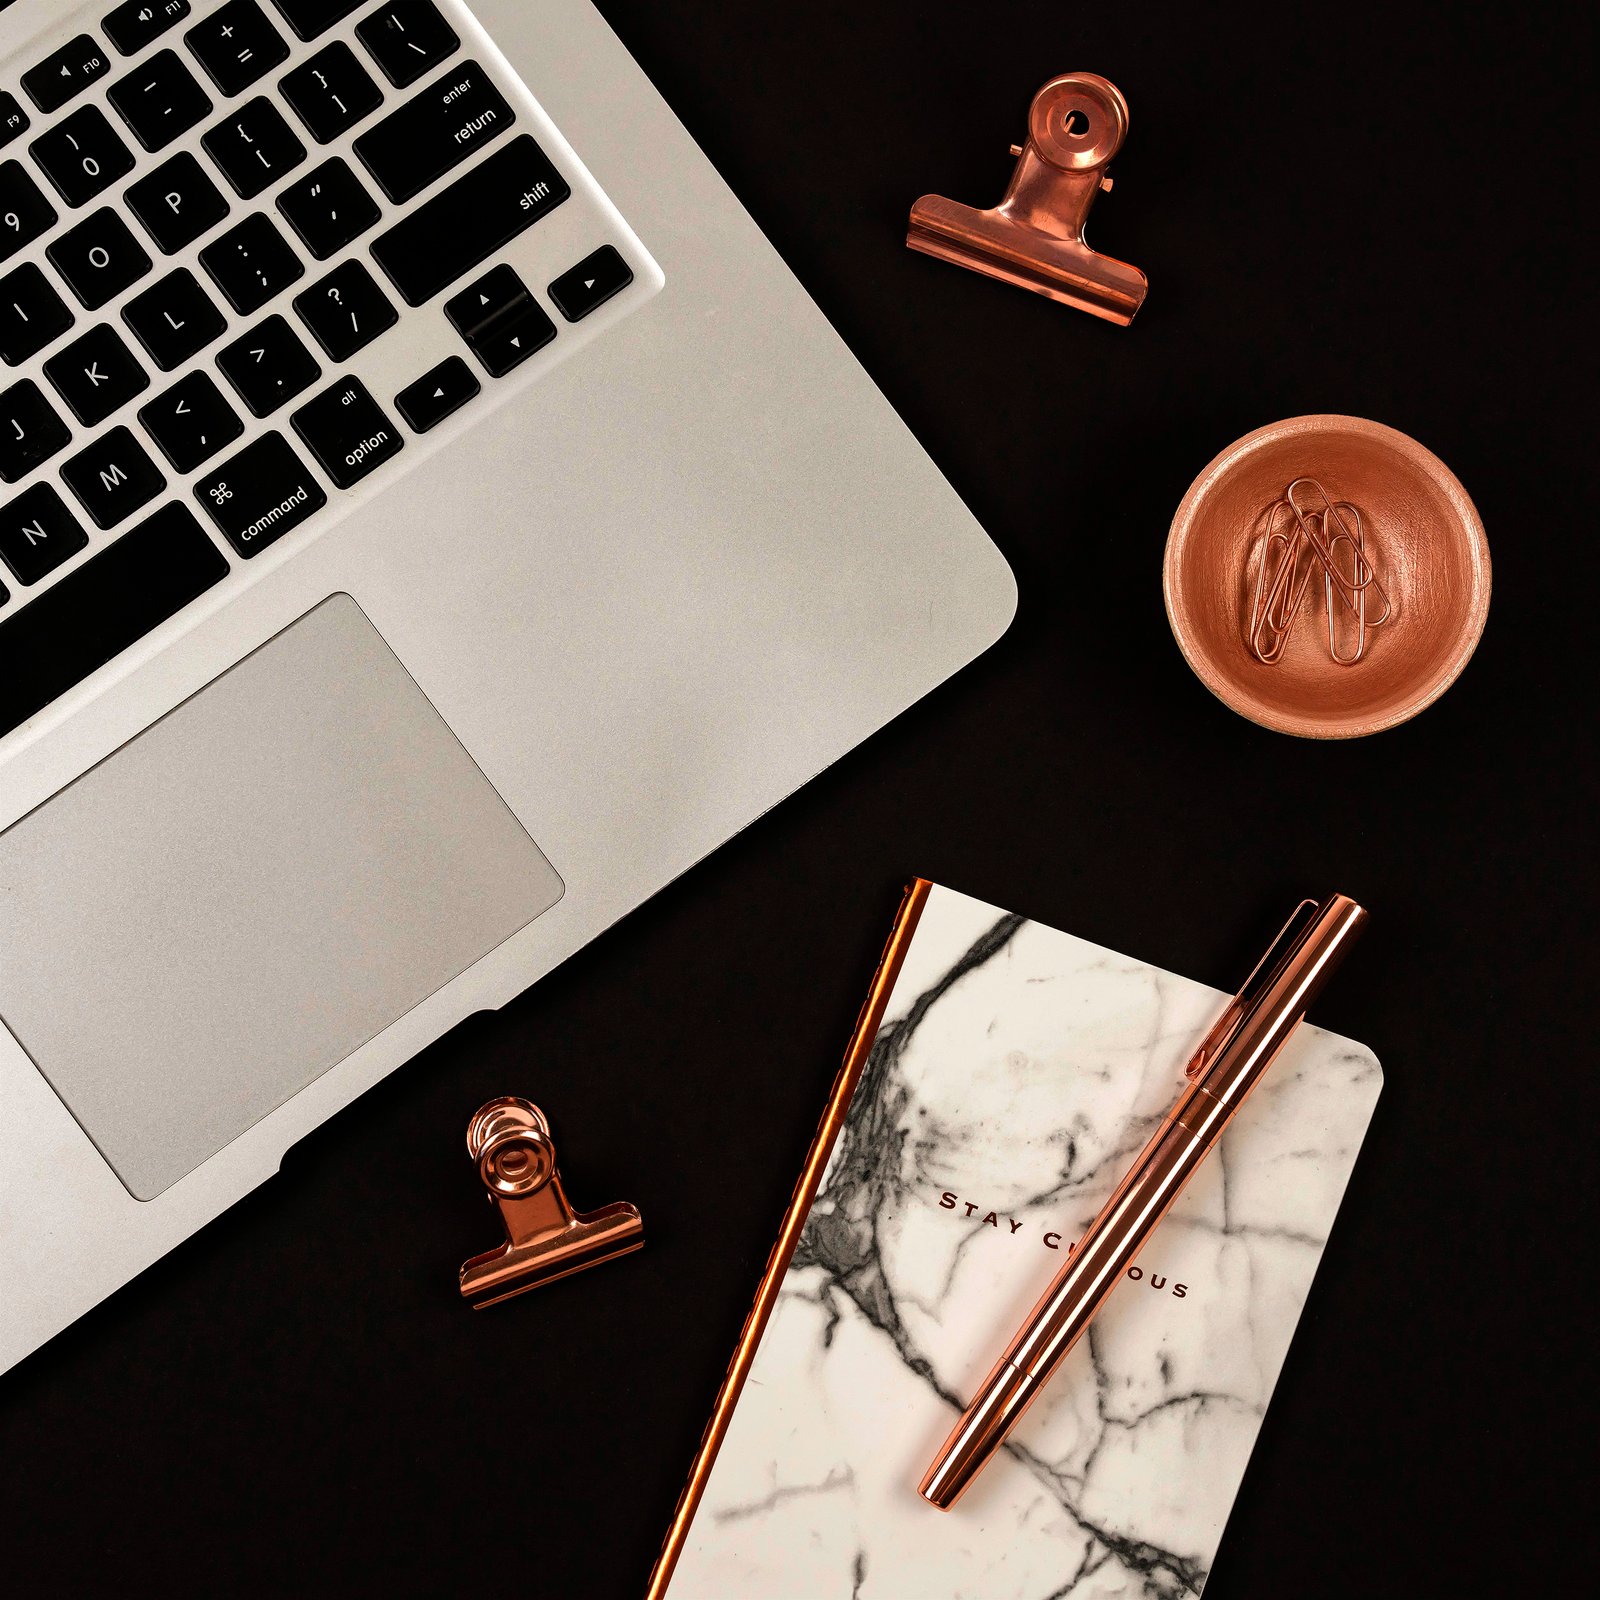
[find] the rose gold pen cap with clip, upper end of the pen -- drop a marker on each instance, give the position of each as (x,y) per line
(1278,998)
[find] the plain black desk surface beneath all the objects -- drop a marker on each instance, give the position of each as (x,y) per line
(1358,209)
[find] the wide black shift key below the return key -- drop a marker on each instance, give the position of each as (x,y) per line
(463,225)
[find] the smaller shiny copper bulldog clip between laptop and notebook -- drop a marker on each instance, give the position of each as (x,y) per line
(545,1238)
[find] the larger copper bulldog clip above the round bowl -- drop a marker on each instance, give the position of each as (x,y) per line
(1036,236)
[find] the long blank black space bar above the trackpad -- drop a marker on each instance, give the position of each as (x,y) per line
(103,607)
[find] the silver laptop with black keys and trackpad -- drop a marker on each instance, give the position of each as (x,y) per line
(433,521)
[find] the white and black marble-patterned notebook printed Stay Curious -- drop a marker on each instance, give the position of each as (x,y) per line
(1002,1079)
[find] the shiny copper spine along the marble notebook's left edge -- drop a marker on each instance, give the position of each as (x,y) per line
(790,1236)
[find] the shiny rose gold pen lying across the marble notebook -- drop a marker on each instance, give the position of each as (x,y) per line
(1244,1044)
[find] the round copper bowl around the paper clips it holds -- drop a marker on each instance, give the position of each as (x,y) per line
(1428,545)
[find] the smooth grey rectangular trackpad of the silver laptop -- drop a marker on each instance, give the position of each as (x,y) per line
(247,892)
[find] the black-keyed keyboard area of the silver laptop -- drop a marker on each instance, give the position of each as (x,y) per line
(252,257)
